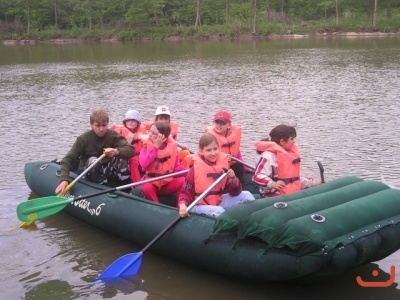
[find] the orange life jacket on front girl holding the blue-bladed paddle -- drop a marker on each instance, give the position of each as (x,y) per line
(205,175)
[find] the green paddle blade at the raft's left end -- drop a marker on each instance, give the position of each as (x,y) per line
(32,210)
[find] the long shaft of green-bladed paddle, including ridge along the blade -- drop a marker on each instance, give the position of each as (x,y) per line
(110,190)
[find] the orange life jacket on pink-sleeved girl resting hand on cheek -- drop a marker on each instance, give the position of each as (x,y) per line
(164,162)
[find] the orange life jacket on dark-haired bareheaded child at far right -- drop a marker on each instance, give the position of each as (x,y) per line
(288,165)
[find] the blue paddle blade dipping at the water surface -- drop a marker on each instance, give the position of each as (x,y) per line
(125,266)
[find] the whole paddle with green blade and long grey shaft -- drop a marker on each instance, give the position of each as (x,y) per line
(47,206)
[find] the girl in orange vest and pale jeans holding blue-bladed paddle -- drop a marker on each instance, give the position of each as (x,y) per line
(209,164)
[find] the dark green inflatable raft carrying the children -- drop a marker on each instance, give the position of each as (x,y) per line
(309,236)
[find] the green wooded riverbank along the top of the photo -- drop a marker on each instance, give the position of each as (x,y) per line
(192,19)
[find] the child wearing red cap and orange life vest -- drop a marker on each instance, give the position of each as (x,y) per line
(229,137)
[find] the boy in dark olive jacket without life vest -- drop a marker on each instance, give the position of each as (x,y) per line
(90,145)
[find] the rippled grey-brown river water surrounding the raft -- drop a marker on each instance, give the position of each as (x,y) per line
(342,95)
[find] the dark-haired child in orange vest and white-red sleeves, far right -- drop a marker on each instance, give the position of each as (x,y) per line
(278,170)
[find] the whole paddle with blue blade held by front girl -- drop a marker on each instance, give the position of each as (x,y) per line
(129,264)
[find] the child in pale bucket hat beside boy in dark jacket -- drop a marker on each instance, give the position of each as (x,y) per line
(132,129)
